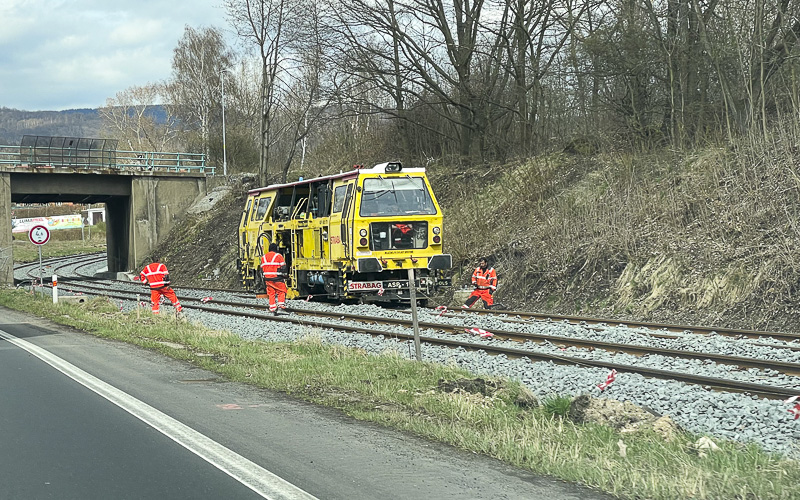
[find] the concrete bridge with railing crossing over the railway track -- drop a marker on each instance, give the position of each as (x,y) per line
(144,192)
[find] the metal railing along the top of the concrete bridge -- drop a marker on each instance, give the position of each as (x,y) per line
(96,159)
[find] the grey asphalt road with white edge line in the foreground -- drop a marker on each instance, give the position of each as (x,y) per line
(85,418)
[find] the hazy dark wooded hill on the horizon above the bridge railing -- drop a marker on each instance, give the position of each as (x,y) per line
(15,123)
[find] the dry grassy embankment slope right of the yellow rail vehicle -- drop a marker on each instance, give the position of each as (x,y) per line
(708,235)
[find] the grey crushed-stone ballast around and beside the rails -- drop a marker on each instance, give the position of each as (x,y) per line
(736,417)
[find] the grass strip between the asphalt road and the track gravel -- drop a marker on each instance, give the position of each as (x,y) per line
(407,395)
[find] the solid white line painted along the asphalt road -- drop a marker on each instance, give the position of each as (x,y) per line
(250,474)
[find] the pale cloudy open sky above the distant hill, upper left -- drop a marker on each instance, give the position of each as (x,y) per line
(67,54)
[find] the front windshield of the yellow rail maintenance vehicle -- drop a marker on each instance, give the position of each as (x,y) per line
(396,196)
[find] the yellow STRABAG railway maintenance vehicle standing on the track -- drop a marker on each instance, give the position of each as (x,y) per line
(349,236)
